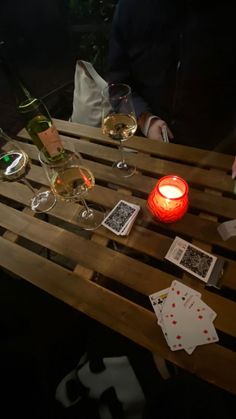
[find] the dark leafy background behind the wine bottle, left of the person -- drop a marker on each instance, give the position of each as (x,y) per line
(43,38)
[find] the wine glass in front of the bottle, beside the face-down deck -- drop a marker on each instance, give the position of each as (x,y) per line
(71,180)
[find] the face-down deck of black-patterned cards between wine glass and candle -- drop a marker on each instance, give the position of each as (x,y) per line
(120,216)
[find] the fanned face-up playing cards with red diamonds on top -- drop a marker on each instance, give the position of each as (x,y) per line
(186,321)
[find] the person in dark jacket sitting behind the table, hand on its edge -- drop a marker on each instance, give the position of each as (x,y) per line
(179,57)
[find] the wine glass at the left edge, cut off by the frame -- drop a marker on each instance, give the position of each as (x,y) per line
(14,165)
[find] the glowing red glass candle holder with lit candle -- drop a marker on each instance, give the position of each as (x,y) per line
(168,201)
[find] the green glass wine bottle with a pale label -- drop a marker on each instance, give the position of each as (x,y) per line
(36,117)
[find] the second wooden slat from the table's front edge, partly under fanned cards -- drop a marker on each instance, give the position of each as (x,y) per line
(142,277)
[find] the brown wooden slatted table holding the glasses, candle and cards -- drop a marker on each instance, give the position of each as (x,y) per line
(109,277)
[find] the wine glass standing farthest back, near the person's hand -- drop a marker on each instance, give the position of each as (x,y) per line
(119,121)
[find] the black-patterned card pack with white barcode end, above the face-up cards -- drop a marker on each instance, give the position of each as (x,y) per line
(192,259)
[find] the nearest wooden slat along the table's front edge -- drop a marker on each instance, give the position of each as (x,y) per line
(121,315)
